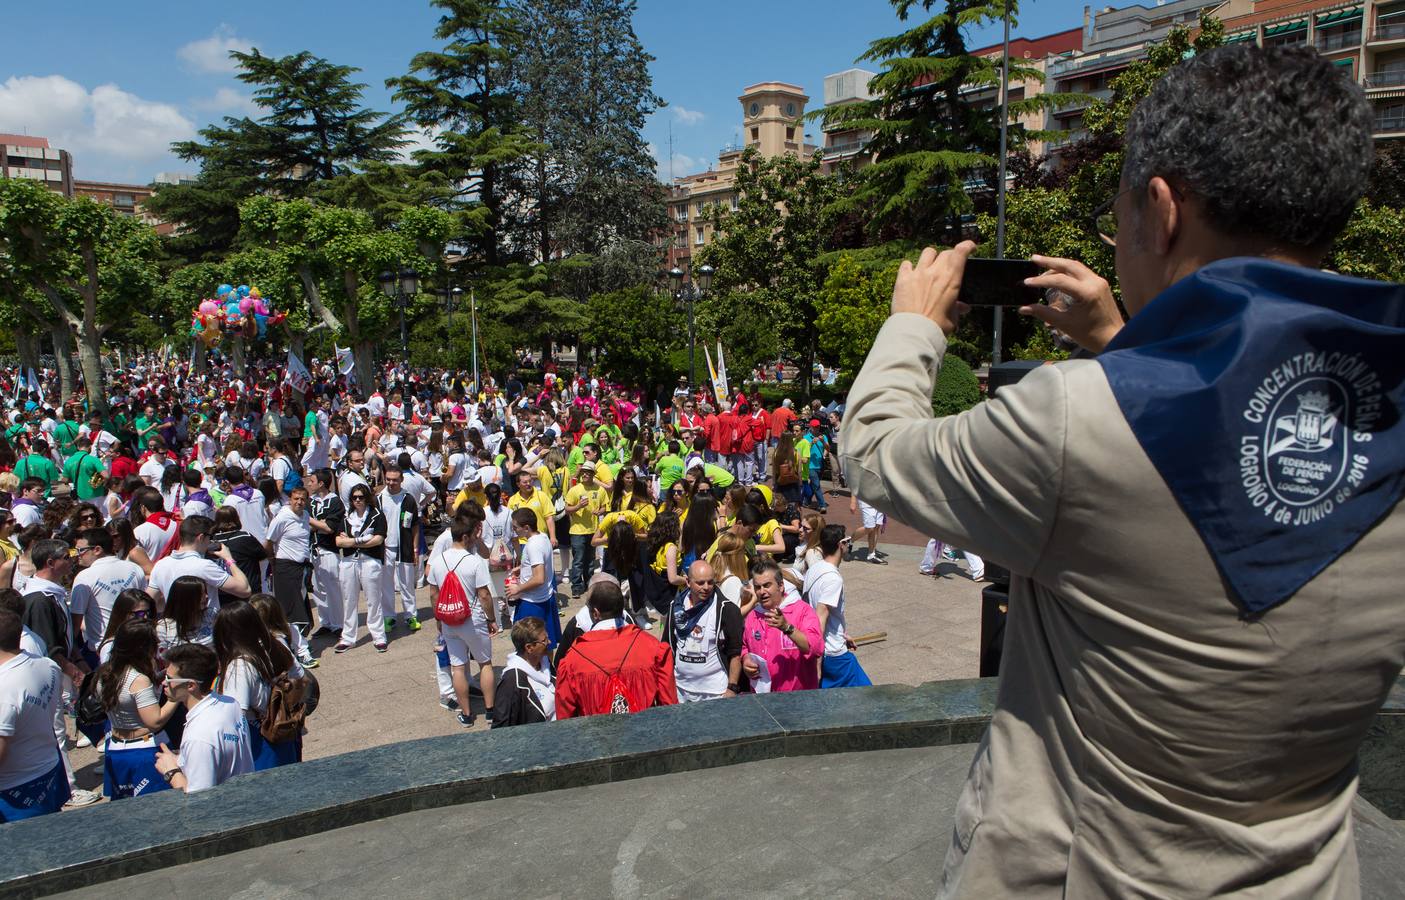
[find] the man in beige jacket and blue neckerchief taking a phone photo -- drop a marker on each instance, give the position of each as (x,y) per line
(1202,524)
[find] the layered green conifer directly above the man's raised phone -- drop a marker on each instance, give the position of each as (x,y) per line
(931,141)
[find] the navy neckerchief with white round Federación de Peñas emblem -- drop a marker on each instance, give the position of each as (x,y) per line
(1268,397)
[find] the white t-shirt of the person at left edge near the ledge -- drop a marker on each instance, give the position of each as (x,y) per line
(29,697)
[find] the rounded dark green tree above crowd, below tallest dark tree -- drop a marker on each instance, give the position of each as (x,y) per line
(634,333)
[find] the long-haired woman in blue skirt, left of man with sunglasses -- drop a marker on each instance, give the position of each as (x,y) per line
(127,687)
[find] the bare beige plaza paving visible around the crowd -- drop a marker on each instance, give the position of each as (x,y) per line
(374,699)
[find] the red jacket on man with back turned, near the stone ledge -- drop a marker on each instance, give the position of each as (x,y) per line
(644,665)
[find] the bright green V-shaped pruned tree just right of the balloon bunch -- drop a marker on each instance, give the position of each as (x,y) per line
(336,255)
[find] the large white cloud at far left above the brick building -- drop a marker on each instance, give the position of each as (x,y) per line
(109,131)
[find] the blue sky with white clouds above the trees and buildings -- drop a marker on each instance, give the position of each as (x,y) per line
(116,84)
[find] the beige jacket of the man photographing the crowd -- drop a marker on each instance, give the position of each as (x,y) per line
(1149,742)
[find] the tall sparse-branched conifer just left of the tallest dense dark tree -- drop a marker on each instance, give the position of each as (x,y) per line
(464,95)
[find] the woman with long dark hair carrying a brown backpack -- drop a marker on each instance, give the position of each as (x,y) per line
(251,661)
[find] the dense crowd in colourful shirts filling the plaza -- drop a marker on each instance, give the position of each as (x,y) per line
(172,562)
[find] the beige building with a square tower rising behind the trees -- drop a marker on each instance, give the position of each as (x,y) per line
(772,123)
